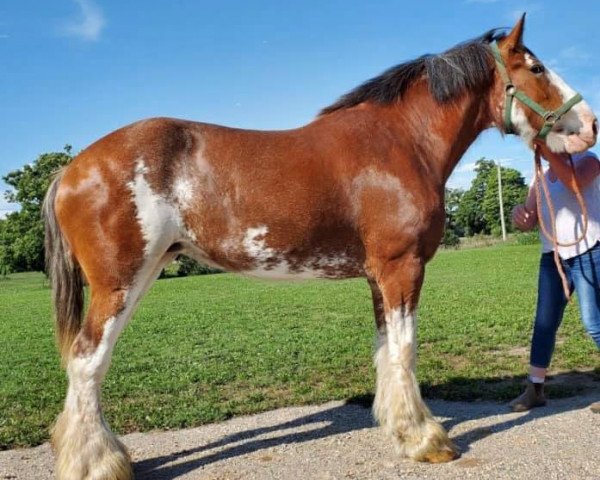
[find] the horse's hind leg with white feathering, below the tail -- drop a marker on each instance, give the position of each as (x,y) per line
(85,447)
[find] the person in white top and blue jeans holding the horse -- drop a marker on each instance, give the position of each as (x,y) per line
(581,264)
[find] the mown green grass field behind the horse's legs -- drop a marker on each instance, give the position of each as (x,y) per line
(201,349)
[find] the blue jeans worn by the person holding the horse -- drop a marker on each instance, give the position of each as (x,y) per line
(583,274)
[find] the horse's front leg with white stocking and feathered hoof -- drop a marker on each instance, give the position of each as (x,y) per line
(398,405)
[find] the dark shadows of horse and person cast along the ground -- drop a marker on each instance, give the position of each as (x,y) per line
(356,415)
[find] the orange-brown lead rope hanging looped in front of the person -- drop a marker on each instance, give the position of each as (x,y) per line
(541,179)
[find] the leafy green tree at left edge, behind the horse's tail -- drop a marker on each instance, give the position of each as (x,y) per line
(22,232)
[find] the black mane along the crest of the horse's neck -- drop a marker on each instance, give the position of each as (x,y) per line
(464,67)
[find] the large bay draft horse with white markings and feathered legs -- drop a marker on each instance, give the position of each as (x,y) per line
(358,192)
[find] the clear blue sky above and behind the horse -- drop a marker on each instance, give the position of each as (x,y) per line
(74,70)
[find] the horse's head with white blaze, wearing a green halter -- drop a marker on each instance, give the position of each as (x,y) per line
(535,103)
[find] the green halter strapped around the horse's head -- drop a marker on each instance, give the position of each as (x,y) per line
(550,117)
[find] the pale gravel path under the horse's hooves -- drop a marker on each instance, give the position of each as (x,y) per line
(338,441)
